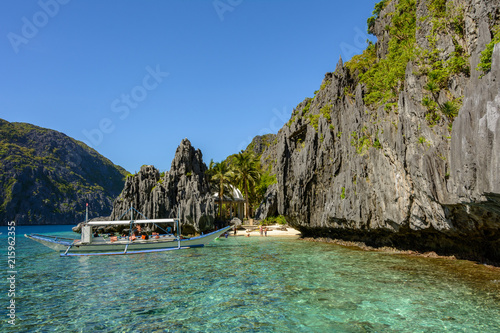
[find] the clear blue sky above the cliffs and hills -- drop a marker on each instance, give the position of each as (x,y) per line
(133,78)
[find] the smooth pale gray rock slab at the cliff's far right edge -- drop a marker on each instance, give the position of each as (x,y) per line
(475,144)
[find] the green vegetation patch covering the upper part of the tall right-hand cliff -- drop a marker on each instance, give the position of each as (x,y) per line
(384,77)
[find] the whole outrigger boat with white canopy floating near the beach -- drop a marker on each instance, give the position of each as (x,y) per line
(89,245)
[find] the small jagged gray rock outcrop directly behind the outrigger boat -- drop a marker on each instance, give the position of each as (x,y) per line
(183,191)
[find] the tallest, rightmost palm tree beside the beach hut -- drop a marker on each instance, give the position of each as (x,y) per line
(247,173)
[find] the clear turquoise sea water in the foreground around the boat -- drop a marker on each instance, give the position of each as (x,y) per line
(251,284)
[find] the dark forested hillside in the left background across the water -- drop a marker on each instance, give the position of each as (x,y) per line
(47,177)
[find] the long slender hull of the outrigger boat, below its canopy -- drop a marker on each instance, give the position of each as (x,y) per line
(125,247)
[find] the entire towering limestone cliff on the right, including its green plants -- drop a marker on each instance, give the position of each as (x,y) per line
(390,162)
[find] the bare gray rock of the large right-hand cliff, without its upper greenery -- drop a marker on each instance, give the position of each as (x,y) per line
(387,177)
